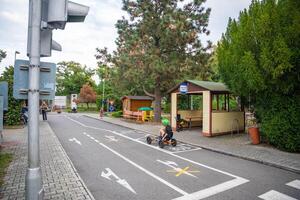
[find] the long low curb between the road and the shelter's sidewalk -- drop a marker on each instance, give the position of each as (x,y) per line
(211,149)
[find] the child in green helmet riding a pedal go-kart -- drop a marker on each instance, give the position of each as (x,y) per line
(166,136)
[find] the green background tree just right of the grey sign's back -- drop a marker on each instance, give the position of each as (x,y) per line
(71,76)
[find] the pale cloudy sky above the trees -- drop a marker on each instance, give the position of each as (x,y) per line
(79,40)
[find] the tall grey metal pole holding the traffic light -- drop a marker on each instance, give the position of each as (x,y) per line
(34,189)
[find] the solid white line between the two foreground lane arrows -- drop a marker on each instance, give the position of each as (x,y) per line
(145,170)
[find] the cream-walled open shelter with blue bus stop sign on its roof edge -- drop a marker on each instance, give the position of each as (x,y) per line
(214,118)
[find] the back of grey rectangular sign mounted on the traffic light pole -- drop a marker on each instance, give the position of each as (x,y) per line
(47,80)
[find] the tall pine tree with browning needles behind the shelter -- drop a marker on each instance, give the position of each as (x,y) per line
(160,44)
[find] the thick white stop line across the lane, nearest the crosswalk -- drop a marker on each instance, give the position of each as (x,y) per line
(213,190)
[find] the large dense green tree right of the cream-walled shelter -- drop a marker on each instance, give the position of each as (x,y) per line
(259,57)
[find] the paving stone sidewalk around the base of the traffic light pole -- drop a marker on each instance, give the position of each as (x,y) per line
(60,178)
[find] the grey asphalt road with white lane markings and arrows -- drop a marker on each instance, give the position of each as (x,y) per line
(117,164)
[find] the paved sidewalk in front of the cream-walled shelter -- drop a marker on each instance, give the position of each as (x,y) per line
(237,145)
